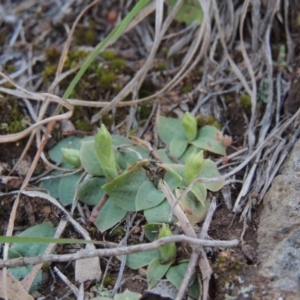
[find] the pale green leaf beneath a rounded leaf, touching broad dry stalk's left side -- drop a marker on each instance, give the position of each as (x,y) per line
(161,213)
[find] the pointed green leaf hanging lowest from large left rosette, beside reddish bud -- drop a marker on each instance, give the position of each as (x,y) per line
(109,215)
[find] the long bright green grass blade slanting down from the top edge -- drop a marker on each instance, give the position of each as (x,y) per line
(111,38)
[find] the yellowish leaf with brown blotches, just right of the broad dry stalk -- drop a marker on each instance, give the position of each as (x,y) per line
(194,209)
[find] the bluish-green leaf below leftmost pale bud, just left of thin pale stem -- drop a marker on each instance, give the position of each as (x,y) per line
(67,188)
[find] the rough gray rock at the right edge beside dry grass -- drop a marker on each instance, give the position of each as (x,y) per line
(279,229)
